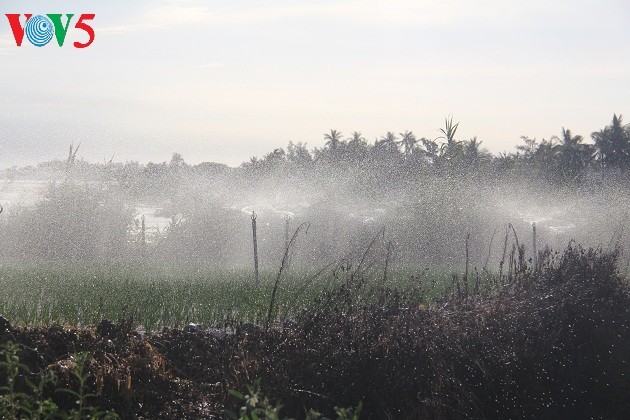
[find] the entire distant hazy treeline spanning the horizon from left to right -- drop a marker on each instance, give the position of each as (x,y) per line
(566,159)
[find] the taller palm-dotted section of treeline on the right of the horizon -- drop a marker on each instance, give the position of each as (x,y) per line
(566,158)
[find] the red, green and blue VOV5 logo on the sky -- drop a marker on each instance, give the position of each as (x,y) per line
(39,29)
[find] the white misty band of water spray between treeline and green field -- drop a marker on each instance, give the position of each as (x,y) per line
(426,223)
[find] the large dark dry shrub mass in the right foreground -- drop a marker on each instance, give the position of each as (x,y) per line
(551,344)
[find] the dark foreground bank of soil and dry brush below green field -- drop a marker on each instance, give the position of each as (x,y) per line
(547,343)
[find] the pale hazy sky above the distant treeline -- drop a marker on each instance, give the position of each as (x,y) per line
(226,80)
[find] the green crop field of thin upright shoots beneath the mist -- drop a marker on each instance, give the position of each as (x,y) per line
(160,295)
